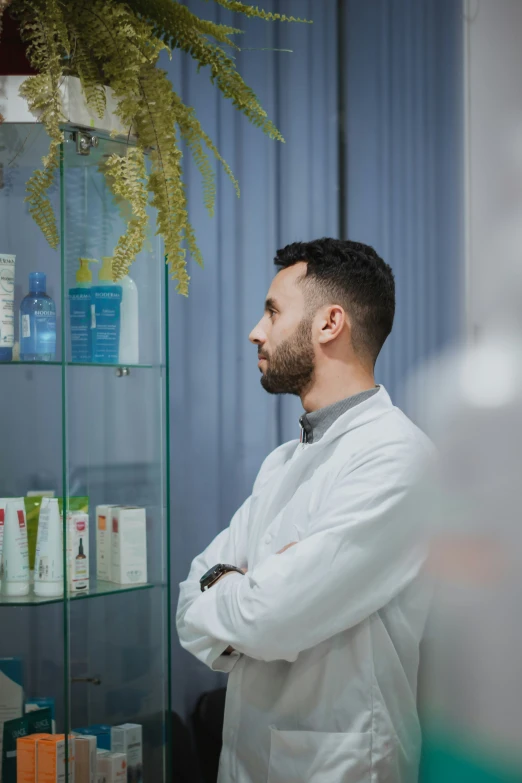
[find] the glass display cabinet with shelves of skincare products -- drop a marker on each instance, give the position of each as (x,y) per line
(87,638)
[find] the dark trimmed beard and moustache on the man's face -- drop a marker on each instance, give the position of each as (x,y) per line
(291,366)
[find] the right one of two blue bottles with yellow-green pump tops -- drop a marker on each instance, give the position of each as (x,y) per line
(107,300)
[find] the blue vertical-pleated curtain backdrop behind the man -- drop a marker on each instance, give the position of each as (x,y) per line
(369,104)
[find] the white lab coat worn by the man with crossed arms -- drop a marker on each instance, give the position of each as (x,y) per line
(322,688)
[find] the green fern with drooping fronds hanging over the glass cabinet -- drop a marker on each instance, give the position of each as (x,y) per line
(107,43)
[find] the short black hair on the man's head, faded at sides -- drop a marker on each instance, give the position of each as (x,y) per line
(354,276)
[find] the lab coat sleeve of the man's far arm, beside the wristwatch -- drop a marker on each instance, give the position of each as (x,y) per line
(228,547)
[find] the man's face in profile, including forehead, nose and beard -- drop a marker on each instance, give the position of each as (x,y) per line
(284,336)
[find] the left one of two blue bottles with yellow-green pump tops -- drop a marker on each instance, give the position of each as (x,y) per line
(80,313)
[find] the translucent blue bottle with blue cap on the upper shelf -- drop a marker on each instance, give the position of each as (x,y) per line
(37,322)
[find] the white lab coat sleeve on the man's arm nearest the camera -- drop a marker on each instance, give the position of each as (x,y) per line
(362,549)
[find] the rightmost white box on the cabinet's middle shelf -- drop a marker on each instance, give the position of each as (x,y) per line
(129,545)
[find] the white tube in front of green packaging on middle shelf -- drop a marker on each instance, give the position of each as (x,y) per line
(48,569)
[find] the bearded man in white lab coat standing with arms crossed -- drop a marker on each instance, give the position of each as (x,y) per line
(310,598)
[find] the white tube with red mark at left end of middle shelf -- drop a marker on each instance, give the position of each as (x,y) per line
(16,550)
